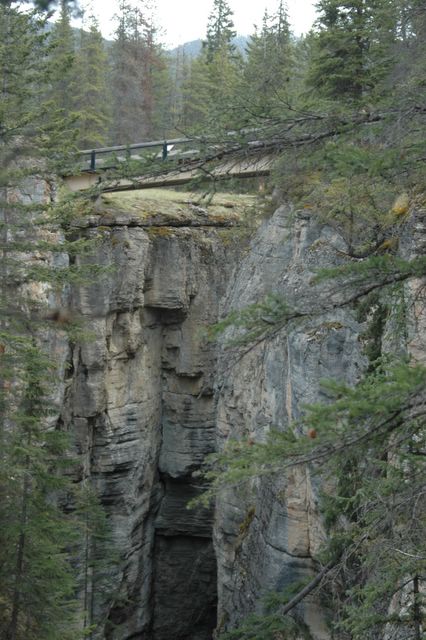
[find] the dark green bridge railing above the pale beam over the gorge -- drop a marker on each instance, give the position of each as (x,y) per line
(105,157)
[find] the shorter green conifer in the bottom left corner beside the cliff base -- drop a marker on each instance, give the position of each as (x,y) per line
(37,585)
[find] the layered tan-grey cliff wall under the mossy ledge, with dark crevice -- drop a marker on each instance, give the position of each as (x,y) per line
(140,398)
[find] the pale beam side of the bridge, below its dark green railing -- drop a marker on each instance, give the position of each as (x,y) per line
(243,168)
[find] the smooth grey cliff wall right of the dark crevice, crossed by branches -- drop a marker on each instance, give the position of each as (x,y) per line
(267,532)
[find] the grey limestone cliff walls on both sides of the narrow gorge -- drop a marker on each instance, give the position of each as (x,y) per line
(148,397)
